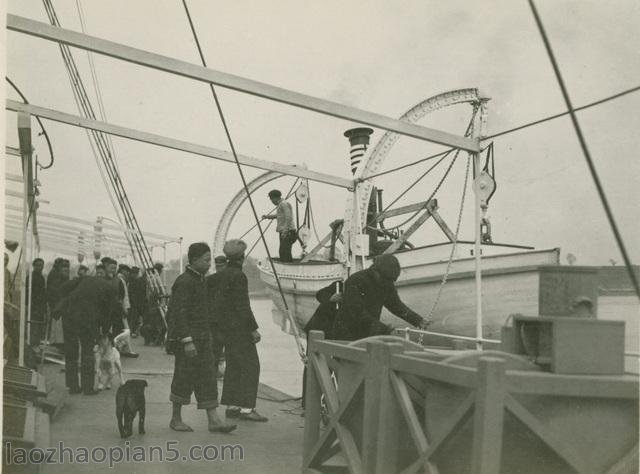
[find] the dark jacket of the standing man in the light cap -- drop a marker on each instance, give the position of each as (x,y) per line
(232,309)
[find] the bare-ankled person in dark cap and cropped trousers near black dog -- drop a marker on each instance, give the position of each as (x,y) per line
(191,326)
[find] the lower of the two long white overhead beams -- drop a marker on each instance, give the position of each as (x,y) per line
(174,144)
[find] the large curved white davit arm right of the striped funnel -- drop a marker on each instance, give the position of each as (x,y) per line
(376,158)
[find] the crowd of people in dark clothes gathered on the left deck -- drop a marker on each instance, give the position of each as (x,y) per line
(112,301)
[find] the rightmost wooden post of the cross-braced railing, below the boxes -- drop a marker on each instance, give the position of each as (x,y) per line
(488,416)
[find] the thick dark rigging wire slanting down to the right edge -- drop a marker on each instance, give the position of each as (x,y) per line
(585,148)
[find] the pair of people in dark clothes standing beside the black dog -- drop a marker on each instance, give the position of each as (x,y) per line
(207,313)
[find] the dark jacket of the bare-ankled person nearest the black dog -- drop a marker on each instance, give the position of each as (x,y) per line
(188,315)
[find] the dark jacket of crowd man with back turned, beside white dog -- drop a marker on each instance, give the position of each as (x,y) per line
(89,301)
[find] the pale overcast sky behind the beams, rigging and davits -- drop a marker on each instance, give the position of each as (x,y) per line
(380,56)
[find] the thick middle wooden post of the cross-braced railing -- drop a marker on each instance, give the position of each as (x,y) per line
(381,412)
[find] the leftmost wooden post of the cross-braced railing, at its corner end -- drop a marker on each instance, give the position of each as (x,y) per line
(312,408)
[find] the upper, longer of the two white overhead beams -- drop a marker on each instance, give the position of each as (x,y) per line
(241,84)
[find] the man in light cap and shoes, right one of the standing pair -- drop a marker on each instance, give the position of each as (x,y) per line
(232,310)
